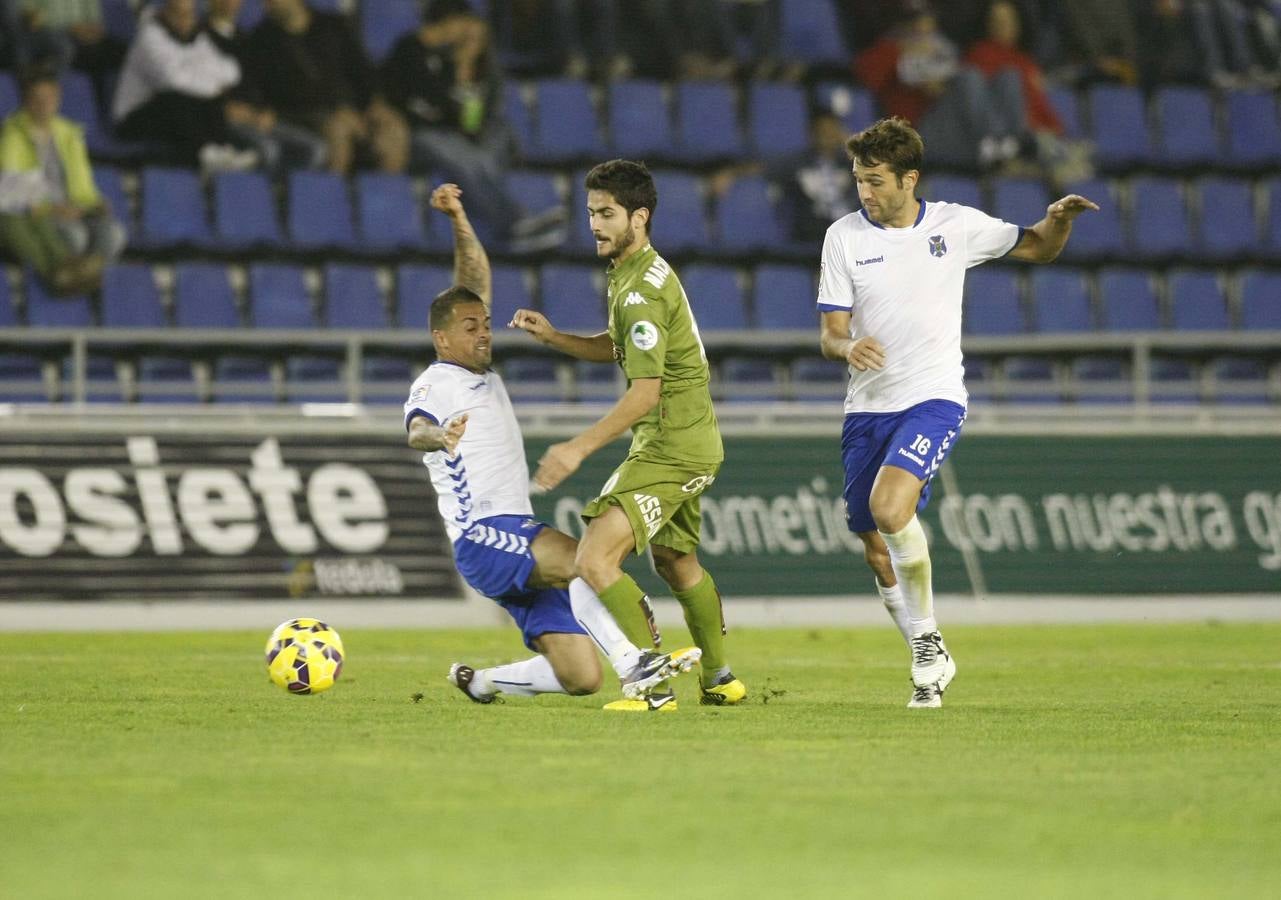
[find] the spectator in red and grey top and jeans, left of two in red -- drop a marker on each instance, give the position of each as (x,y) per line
(965,118)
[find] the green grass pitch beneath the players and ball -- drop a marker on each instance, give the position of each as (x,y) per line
(1069,762)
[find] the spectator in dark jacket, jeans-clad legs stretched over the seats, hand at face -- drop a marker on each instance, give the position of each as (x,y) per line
(445,80)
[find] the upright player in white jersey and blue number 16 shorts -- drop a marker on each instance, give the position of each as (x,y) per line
(890,296)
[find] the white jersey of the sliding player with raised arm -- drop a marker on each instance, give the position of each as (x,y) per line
(487,474)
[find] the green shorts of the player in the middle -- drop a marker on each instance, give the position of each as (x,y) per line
(660,501)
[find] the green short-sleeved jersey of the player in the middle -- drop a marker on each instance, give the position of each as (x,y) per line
(655,336)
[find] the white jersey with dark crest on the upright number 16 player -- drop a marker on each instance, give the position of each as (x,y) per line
(904,286)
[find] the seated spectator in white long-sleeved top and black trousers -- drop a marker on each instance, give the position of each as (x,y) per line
(175,88)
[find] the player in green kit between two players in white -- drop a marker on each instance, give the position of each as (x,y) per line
(651,501)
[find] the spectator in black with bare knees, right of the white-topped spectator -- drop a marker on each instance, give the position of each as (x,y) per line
(309,70)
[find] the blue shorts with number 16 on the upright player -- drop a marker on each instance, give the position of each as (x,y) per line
(917,440)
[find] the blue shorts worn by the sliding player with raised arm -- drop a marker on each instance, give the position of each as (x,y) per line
(495,559)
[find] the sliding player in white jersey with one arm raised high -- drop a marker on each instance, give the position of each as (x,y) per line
(459,415)
